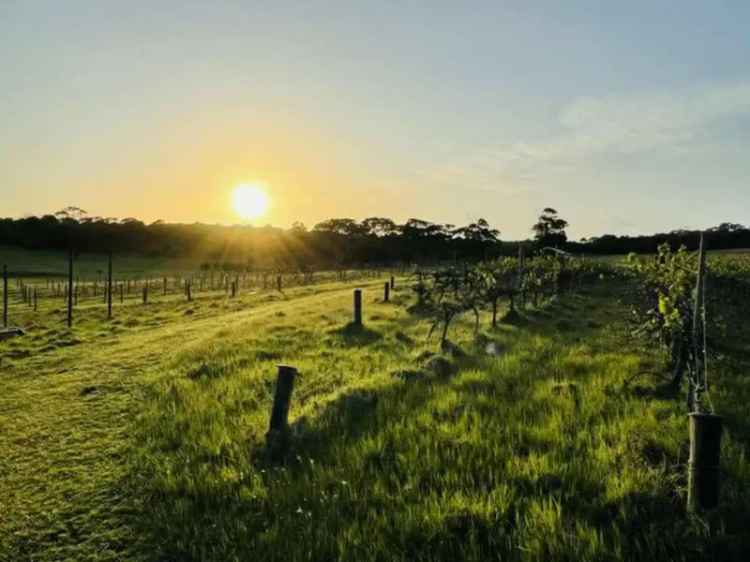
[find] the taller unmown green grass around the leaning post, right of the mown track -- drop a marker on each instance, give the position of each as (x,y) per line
(542,452)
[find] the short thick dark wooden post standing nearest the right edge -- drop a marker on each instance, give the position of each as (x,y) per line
(703,466)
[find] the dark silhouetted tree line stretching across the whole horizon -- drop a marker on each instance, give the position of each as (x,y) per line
(336,242)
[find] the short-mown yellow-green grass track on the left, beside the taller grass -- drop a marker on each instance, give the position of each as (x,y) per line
(66,412)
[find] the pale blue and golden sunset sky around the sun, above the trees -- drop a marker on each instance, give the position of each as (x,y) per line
(627,117)
